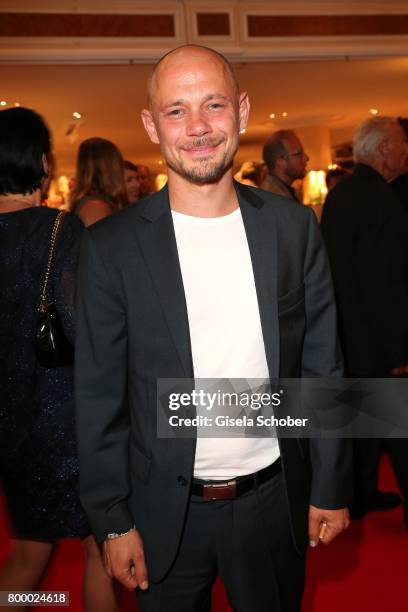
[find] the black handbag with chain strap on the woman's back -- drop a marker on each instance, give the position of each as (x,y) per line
(51,345)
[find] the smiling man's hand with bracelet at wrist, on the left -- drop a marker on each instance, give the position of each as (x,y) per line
(124,560)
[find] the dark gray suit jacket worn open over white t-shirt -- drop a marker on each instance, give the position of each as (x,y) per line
(133,329)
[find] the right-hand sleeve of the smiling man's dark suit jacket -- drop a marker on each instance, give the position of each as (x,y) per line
(331,457)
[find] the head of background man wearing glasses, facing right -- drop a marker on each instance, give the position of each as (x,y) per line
(284,155)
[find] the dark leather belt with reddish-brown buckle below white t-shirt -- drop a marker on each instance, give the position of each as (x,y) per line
(236,487)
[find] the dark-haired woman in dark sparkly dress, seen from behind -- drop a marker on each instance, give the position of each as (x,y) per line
(38,458)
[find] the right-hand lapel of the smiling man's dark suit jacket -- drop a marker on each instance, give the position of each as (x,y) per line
(262,240)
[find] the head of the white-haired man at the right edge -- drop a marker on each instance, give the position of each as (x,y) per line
(381,142)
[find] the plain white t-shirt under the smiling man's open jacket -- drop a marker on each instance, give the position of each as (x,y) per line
(225,330)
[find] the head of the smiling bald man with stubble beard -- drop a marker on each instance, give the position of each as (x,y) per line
(195,113)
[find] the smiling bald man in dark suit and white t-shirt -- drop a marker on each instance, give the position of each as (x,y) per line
(203,280)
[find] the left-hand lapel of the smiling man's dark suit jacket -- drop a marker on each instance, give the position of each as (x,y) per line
(158,243)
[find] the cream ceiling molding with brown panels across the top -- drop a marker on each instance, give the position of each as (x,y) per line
(329,17)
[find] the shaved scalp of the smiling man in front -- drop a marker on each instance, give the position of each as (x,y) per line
(189,52)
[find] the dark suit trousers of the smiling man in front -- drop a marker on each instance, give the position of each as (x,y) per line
(247,542)
